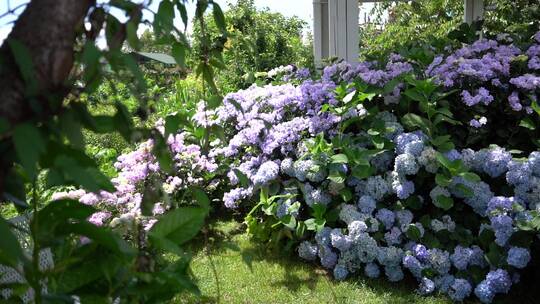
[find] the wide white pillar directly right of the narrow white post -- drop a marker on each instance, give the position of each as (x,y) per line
(343,29)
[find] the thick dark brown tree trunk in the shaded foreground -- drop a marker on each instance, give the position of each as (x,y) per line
(47,29)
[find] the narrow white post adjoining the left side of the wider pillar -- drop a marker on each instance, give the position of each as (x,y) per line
(320,31)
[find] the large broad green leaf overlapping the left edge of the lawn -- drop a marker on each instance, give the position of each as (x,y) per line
(180,225)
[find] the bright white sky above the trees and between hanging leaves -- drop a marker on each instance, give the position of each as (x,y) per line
(300,8)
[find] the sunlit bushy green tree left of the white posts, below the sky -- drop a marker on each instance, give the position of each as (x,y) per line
(258,40)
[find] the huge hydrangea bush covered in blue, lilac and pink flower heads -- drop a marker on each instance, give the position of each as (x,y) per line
(384,169)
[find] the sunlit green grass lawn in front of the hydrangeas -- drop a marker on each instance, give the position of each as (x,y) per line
(249,273)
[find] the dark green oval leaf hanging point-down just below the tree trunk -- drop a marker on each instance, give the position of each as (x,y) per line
(29,145)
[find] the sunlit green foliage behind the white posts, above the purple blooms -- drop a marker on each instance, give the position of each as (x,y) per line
(427,24)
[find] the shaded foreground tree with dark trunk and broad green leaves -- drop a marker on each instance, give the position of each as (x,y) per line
(43,147)
